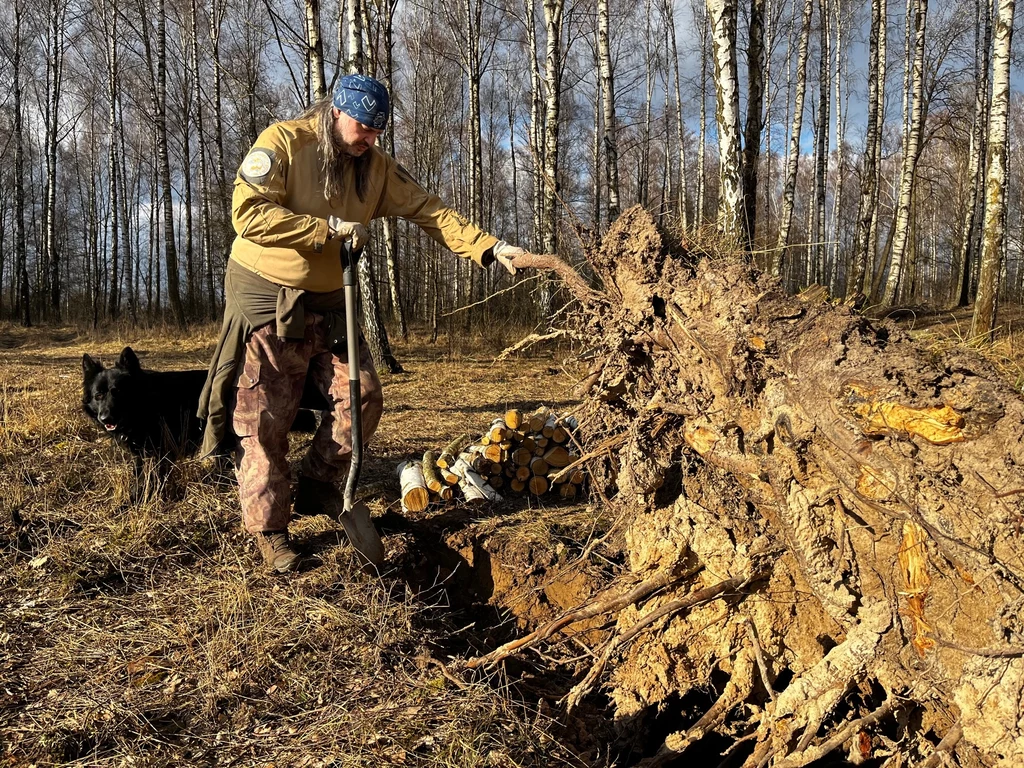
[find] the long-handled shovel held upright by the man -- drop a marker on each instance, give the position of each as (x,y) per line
(356,516)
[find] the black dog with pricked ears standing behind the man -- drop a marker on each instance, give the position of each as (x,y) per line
(151,413)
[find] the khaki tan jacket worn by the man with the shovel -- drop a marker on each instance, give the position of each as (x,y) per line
(280,214)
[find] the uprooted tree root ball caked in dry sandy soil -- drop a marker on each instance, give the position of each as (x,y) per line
(822,522)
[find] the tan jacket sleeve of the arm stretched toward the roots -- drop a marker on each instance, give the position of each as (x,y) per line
(404,197)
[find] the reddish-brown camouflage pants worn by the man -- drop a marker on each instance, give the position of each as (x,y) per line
(267,402)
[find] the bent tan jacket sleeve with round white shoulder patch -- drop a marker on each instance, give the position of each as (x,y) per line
(260,211)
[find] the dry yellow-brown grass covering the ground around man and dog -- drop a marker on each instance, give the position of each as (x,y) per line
(141,630)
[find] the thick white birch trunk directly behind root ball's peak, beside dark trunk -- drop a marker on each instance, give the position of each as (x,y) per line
(723,24)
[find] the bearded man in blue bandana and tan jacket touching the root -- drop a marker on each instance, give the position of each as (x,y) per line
(306,187)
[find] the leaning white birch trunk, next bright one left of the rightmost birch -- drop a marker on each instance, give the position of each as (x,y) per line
(902,227)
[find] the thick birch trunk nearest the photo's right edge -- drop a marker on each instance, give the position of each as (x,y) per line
(996,193)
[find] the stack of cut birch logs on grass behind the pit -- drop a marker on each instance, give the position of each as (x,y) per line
(519,455)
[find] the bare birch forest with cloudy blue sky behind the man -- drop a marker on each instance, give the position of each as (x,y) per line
(870,147)
